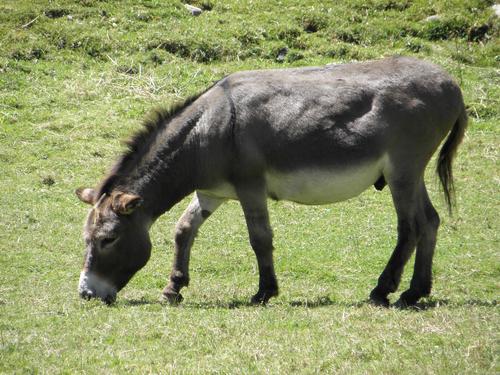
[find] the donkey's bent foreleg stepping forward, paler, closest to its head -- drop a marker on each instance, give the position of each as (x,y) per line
(200,208)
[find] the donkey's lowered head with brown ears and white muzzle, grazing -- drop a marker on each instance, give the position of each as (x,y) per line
(117,243)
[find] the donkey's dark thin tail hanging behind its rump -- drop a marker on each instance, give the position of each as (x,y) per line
(446,155)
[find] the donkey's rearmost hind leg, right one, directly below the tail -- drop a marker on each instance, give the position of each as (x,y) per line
(428,224)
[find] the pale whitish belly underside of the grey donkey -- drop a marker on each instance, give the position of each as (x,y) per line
(321,185)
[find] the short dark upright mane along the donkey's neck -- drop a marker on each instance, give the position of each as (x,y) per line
(141,141)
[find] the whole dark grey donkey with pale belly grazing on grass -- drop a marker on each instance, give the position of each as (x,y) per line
(312,135)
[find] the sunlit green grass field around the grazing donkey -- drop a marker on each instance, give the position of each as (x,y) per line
(76,77)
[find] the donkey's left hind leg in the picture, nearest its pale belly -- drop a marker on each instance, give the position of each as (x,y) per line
(405,196)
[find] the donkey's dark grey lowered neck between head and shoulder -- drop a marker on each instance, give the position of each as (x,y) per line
(163,167)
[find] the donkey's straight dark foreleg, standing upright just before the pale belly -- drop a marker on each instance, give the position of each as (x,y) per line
(254,204)
